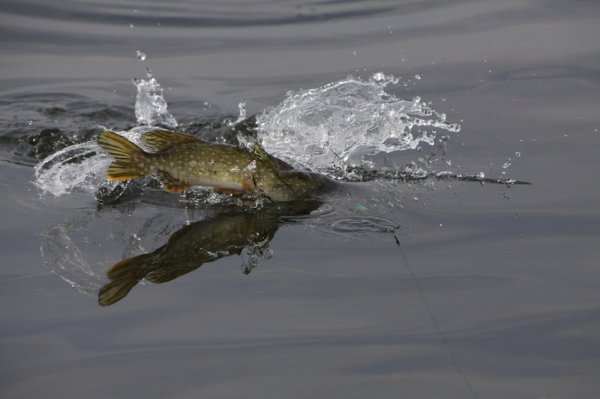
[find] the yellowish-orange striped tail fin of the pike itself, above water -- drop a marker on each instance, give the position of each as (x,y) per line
(129,158)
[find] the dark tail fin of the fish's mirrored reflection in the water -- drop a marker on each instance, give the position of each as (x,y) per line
(124,276)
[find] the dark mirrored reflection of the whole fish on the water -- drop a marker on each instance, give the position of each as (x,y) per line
(228,233)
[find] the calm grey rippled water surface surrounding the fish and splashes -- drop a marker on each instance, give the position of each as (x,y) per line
(383,289)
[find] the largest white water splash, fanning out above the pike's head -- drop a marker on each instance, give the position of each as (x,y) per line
(342,123)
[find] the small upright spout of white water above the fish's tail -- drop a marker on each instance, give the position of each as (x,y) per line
(150,104)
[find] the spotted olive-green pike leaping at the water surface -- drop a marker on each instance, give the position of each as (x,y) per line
(181,161)
